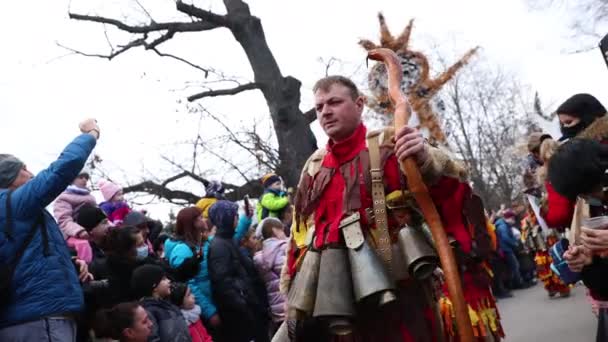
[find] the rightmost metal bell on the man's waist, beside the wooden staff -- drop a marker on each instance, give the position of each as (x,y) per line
(420,257)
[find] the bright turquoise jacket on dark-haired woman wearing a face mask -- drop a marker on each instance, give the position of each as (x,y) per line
(176,252)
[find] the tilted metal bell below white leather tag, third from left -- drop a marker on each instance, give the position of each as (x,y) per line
(370,278)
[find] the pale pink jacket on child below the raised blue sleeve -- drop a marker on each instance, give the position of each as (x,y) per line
(66,206)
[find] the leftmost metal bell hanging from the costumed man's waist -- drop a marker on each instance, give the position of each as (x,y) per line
(303,292)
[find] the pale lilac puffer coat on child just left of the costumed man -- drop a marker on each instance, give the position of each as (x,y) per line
(269,262)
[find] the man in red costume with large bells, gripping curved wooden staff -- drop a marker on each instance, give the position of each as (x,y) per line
(343,242)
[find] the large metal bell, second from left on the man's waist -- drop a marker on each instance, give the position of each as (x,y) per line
(335,302)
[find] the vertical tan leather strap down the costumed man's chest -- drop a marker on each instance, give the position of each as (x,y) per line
(380,234)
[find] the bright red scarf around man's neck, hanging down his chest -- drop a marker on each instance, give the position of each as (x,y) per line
(330,208)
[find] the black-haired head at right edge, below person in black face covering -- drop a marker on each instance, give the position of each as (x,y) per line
(578,167)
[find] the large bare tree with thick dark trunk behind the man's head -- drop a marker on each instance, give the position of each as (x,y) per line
(294,137)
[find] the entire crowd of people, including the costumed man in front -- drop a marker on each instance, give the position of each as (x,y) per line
(296,266)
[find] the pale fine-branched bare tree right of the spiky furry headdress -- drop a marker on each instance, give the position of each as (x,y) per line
(486,117)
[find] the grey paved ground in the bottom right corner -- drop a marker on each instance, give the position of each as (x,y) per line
(532,316)
